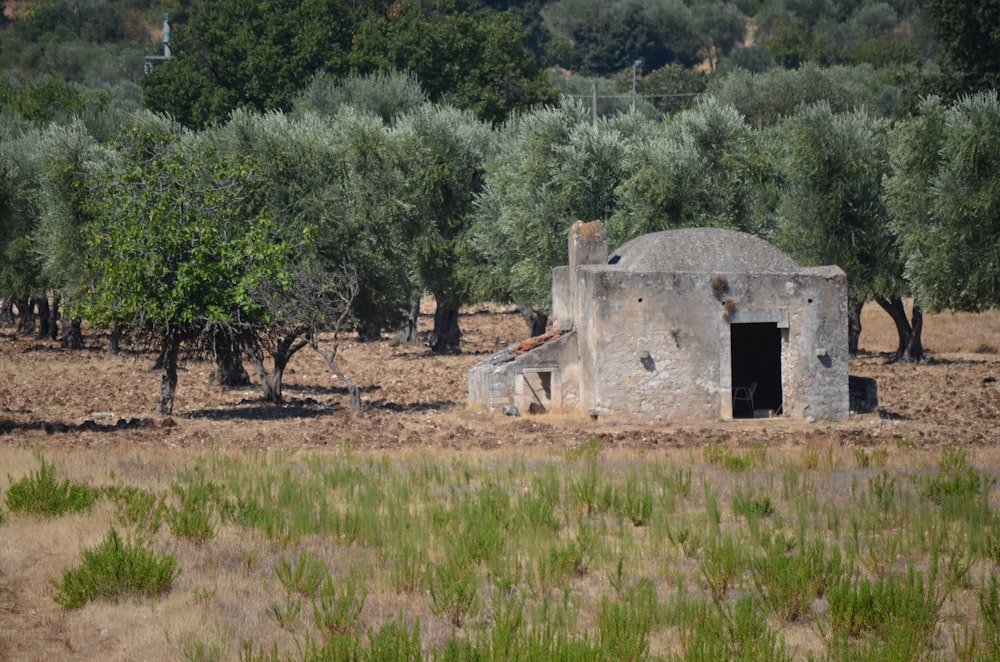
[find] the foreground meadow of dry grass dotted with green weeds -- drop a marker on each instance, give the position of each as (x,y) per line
(706,553)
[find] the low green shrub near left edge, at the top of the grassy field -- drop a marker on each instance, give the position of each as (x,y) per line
(41,493)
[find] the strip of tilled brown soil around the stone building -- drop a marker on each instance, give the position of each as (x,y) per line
(54,397)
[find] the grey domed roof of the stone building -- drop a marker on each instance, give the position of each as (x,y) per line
(702,250)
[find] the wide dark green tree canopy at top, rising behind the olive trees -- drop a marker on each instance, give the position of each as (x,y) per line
(236,54)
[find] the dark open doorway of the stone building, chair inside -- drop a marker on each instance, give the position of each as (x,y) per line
(756,365)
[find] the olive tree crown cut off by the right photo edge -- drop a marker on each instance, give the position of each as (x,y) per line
(943,198)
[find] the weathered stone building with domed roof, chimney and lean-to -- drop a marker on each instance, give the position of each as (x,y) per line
(689,324)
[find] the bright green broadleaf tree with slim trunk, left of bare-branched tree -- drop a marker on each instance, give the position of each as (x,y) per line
(179,244)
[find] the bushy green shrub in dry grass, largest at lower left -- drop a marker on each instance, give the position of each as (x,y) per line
(113,569)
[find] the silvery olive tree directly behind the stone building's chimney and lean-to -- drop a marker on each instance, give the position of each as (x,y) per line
(551,167)
